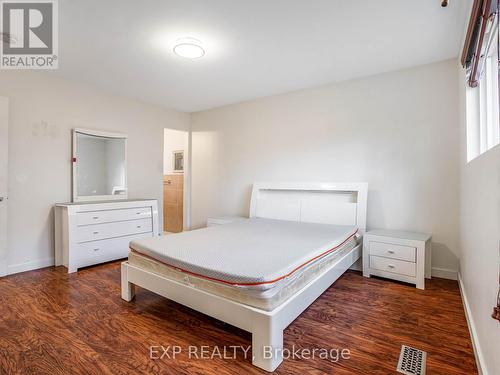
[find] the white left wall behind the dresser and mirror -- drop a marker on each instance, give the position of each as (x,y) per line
(43,111)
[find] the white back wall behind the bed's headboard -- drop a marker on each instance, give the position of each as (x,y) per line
(397,131)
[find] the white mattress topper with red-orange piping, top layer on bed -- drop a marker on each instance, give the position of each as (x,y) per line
(254,252)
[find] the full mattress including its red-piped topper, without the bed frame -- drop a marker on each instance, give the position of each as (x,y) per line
(258,262)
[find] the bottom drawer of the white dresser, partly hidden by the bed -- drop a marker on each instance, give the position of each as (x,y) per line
(113,248)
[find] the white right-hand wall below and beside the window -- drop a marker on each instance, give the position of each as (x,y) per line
(480,242)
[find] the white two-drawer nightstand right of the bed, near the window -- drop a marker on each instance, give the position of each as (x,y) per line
(398,255)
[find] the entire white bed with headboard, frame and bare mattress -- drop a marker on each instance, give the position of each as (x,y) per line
(258,274)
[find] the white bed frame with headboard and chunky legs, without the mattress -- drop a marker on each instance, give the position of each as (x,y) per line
(331,203)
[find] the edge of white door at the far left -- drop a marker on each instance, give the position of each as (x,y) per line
(4,117)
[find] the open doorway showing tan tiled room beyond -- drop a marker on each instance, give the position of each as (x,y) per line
(175,181)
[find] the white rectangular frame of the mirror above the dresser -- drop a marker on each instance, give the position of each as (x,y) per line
(89,198)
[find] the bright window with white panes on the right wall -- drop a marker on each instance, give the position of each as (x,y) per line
(483,117)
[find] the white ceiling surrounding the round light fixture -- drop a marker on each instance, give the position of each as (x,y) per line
(254,48)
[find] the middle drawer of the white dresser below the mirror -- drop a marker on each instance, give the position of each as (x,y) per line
(111,230)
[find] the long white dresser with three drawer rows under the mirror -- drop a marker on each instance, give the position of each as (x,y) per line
(88,233)
